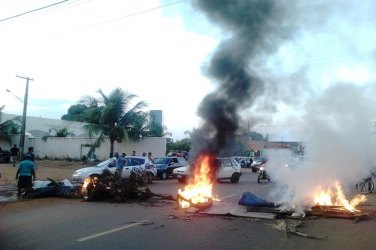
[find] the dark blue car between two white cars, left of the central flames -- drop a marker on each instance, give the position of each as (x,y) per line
(166,165)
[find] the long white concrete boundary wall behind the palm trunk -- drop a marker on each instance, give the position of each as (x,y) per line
(73,147)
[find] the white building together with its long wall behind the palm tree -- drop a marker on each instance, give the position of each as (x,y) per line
(77,145)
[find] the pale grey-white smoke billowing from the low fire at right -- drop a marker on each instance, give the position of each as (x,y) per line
(339,146)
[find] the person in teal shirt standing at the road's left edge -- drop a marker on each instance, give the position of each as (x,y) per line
(25,174)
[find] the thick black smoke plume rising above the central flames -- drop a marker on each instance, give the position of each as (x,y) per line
(255,28)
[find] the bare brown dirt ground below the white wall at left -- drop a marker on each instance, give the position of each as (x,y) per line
(56,170)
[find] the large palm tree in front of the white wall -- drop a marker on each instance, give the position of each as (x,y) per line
(111,116)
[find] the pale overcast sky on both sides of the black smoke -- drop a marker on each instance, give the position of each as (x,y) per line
(157,50)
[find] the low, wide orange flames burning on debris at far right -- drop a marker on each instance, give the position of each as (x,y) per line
(334,196)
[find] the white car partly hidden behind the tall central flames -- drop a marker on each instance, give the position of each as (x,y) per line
(229,169)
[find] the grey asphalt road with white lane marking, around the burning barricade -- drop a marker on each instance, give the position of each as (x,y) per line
(58,223)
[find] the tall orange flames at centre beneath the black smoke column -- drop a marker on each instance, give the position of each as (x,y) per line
(200,186)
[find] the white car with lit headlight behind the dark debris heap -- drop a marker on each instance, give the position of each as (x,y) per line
(131,162)
